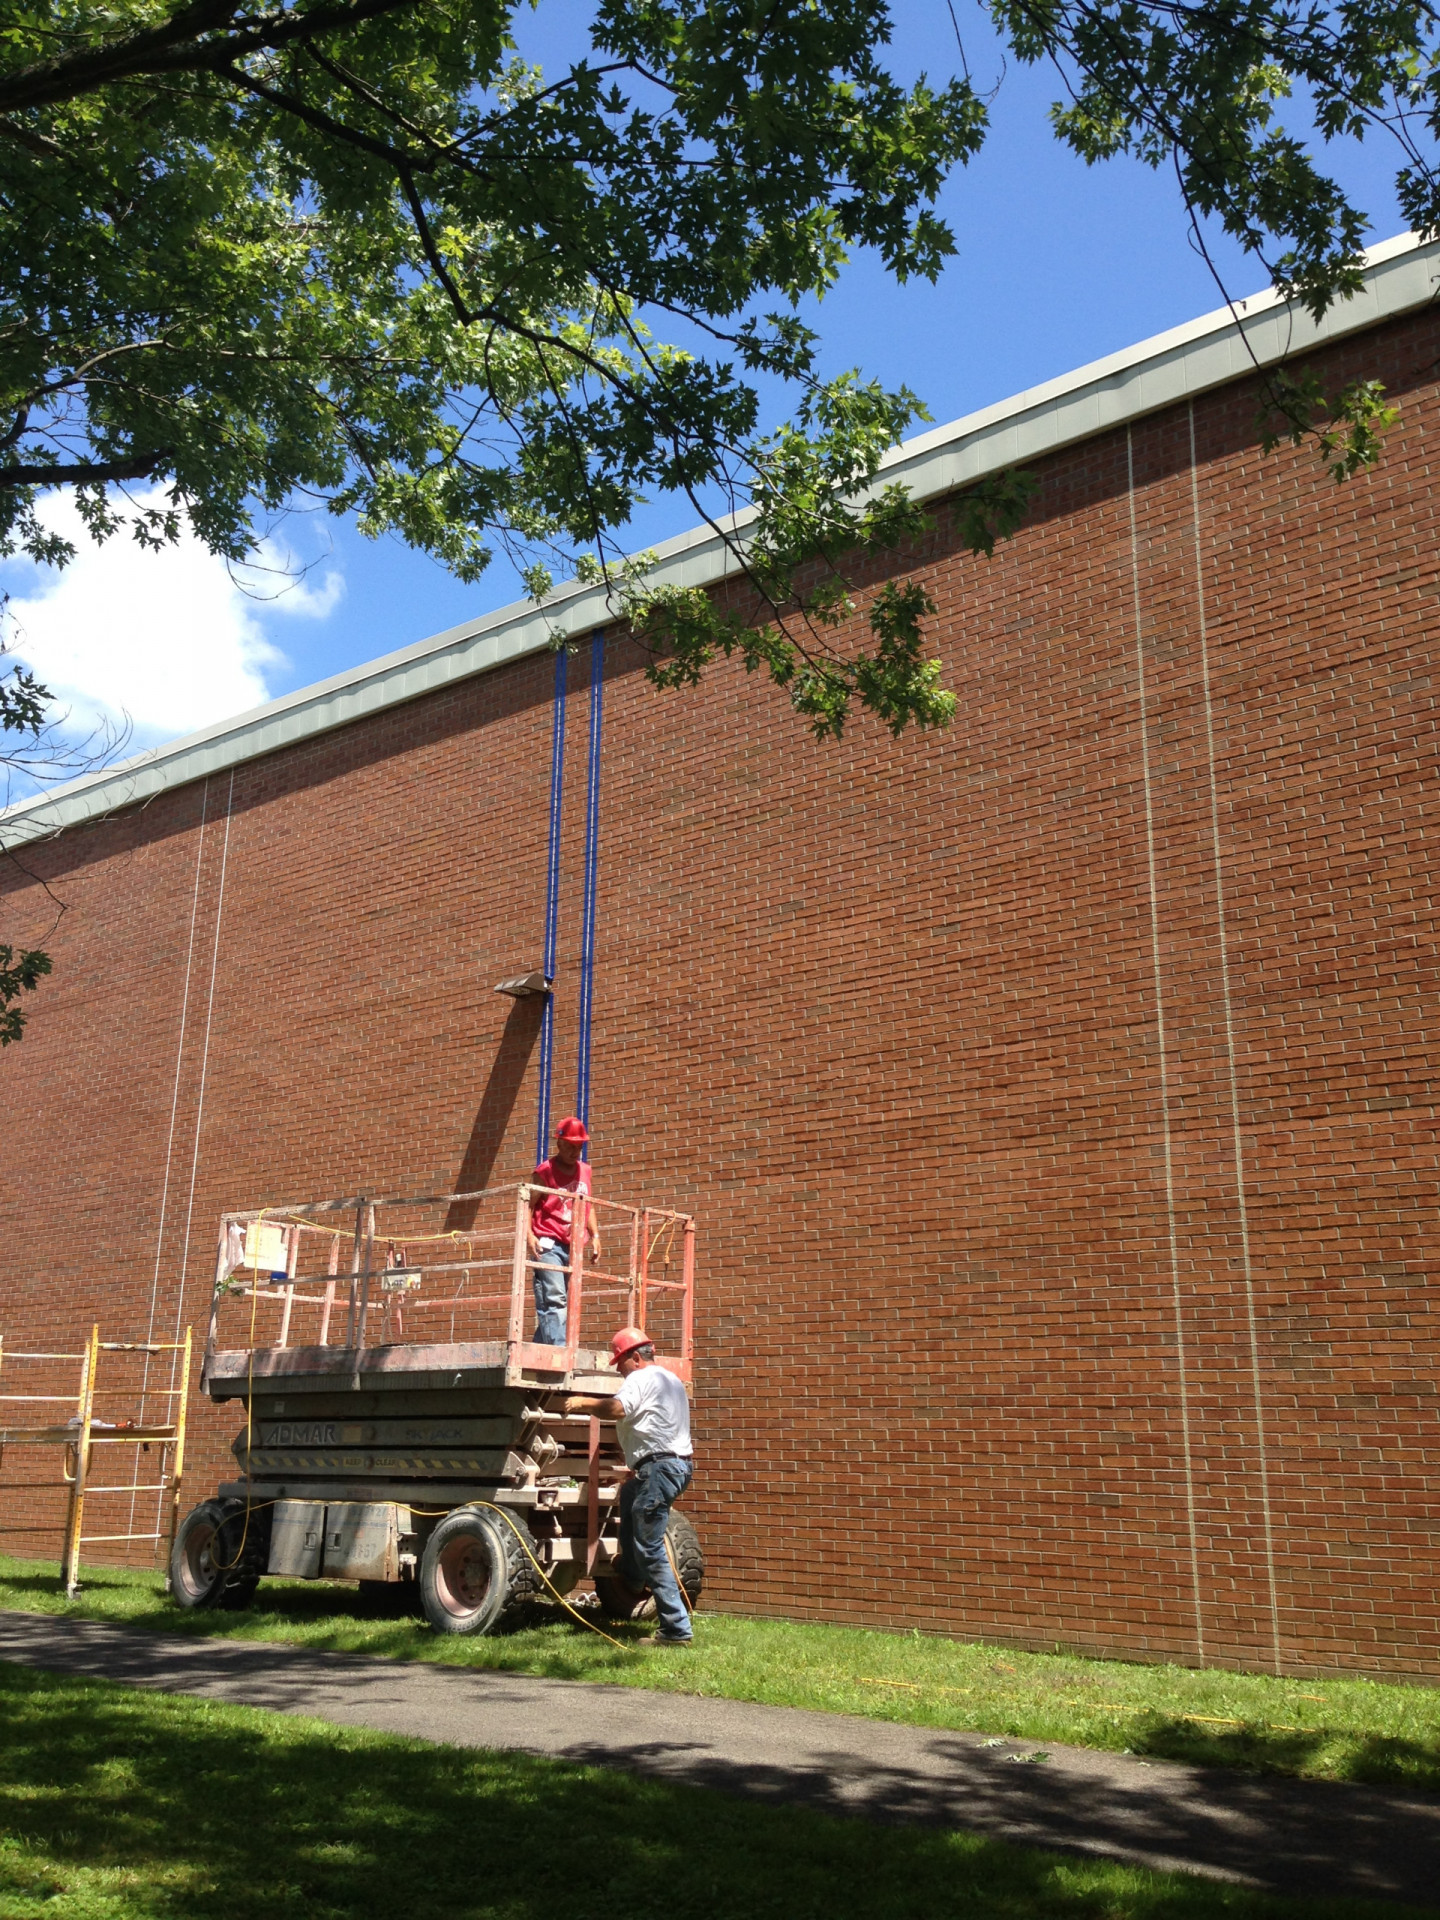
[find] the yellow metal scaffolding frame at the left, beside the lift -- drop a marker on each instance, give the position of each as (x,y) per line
(84,1433)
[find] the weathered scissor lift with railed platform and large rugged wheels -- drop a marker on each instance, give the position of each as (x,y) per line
(398,1424)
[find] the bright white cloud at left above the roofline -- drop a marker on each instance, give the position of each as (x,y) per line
(170,640)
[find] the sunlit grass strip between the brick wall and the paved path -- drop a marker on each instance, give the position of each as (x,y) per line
(1320,1729)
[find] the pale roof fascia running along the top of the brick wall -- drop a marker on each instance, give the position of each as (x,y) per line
(1401,276)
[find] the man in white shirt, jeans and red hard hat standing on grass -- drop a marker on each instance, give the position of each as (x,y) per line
(652,1414)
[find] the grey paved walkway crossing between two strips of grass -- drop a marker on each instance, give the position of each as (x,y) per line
(1291,1836)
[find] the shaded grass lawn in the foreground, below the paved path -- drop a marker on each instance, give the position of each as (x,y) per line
(128,1806)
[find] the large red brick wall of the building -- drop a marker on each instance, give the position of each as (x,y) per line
(1055,1092)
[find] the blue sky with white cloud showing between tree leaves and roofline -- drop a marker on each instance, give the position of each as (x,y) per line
(1057,266)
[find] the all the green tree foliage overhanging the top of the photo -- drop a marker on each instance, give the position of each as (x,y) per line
(358,251)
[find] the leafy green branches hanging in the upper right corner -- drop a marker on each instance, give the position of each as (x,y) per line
(1239,99)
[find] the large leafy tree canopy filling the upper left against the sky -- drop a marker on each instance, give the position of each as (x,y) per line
(356,249)
